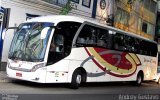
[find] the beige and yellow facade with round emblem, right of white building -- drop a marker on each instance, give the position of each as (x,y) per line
(136,16)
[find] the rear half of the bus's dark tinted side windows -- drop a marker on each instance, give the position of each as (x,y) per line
(135,45)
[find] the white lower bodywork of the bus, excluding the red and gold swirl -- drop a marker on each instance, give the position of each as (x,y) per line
(62,71)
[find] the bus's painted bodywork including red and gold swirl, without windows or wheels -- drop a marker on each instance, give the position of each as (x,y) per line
(101,64)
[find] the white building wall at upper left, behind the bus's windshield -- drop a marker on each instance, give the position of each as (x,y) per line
(18,15)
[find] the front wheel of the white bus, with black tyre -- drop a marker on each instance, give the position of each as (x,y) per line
(76,79)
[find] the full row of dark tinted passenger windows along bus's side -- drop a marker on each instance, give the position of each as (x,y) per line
(91,36)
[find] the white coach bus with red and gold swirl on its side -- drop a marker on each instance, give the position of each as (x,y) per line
(68,49)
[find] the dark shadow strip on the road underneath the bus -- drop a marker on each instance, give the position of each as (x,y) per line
(63,85)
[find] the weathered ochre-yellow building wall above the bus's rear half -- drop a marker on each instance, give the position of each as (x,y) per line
(140,13)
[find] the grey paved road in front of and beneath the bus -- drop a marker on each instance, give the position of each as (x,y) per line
(22,90)
